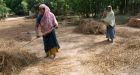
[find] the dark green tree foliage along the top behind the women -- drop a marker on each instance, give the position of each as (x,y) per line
(84,8)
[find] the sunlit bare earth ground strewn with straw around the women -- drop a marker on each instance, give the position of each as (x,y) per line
(80,54)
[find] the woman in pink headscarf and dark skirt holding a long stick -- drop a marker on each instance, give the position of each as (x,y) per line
(47,22)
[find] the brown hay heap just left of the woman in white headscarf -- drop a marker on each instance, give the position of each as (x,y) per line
(89,26)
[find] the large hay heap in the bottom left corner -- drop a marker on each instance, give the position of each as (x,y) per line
(13,59)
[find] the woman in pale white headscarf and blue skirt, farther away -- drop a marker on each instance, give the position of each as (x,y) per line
(110,20)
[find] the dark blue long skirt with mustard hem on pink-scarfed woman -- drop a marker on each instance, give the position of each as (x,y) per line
(51,45)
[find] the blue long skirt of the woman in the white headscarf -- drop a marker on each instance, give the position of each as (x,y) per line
(110,33)
